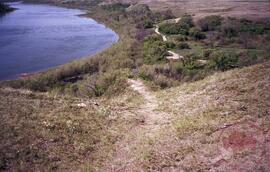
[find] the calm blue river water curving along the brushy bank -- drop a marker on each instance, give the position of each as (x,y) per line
(37,37)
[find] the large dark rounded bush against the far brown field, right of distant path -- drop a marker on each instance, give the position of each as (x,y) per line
(210,23)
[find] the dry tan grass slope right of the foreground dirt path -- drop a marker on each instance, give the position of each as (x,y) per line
(208,111)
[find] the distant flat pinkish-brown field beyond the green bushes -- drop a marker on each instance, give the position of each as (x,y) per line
(252,9)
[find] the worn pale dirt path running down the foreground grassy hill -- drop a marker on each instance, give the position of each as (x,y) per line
(130,150)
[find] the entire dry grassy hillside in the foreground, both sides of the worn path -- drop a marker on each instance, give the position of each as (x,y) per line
(48,132)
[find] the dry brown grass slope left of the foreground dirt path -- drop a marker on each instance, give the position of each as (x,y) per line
(41,132)
